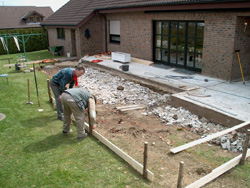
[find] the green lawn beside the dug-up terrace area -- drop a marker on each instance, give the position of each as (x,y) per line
(33,151)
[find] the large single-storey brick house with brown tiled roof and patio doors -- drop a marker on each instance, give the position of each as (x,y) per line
(191,34)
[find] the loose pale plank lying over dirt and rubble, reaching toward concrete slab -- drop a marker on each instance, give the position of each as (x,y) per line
(209,137)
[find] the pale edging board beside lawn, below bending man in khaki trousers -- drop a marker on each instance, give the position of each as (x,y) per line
(136,165)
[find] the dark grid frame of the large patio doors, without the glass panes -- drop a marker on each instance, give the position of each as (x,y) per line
(173,34)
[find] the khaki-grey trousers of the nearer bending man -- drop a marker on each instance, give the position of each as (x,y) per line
(69,107)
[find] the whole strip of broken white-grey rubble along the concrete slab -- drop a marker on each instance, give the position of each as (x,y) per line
(115,90)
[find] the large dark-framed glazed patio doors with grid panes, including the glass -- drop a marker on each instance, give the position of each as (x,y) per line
(179,43)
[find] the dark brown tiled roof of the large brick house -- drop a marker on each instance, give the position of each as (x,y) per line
(77,12)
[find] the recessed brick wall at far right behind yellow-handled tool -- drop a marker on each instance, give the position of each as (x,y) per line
(242,43)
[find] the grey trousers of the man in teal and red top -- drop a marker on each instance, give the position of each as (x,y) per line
(56,90)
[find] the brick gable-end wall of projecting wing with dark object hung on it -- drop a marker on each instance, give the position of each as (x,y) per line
(96,42)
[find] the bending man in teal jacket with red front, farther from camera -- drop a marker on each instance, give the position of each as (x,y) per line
(58,85)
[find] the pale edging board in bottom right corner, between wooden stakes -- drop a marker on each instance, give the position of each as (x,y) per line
(217,172)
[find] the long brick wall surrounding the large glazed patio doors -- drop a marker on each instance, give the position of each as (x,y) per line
(136,35)
